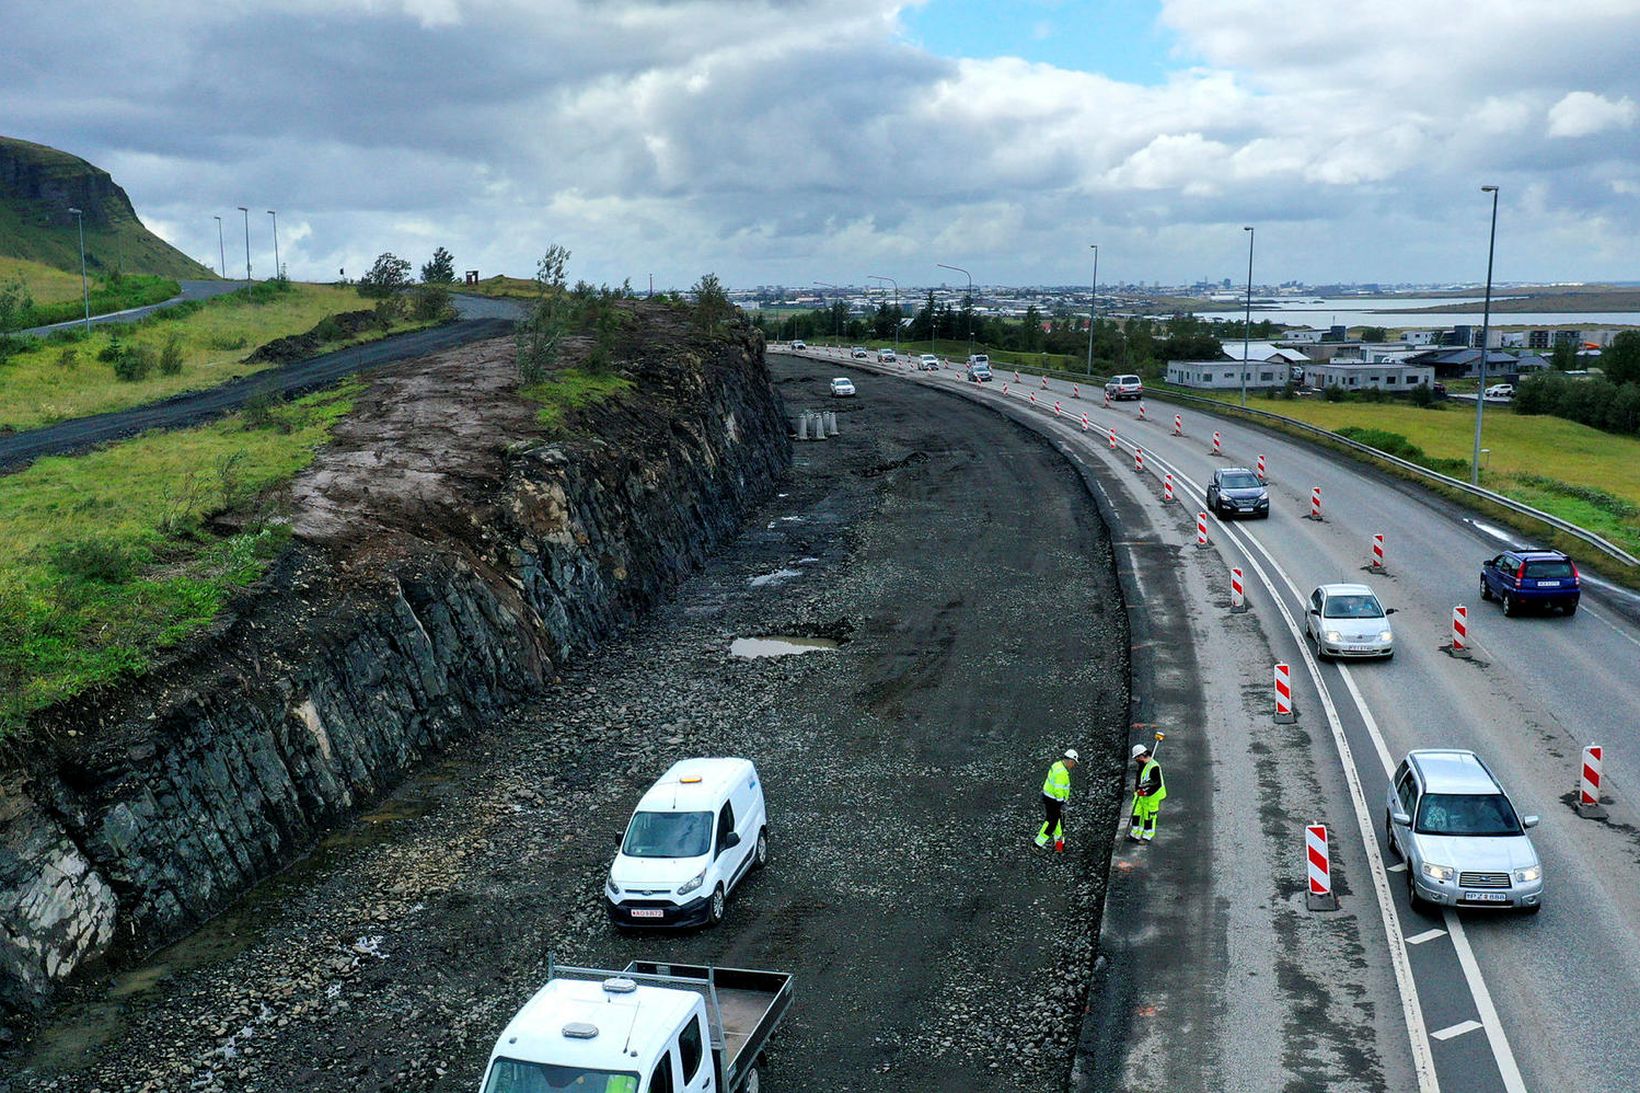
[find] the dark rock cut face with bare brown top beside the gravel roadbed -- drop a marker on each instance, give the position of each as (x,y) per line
(445,560)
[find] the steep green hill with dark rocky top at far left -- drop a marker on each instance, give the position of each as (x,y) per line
(40,185)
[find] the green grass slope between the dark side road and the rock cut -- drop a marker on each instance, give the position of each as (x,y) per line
(104,557)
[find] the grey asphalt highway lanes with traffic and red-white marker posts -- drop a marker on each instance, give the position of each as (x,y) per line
(1487,1000)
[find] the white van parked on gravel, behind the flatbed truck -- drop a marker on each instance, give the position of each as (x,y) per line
(691,839)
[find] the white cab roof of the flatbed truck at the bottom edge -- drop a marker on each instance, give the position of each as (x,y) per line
(614,1025)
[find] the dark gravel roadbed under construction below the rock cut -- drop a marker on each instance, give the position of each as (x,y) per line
(934,946)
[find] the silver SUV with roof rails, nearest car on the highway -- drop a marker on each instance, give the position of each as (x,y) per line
(1460,836)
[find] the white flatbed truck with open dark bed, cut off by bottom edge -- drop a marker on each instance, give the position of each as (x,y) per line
(652,1028)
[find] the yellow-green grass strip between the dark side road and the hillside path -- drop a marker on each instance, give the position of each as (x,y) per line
(60,378)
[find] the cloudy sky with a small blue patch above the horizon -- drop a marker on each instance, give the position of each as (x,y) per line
(786,142)
